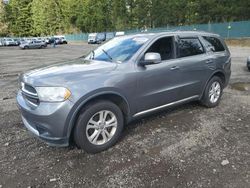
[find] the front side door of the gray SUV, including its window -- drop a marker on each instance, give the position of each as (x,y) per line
(157,83)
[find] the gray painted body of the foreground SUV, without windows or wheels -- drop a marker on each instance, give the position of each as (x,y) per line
(143,88)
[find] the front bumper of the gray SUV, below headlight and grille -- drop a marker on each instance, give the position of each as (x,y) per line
(48,121)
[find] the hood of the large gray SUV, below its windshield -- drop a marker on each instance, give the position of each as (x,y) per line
(67,72)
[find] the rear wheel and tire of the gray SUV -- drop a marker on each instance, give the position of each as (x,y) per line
(207,99)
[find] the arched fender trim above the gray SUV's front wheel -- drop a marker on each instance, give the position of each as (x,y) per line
(82,101)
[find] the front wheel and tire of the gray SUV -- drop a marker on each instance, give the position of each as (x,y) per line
(84,128)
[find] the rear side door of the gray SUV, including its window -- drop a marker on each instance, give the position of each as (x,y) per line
(193,62)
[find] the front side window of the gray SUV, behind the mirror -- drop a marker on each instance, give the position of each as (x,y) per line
(164,47)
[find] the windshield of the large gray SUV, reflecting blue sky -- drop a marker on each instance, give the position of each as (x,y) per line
(118,49)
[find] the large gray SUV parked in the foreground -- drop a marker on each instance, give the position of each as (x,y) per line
(89,100)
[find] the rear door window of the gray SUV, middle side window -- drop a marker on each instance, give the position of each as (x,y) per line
(189,47)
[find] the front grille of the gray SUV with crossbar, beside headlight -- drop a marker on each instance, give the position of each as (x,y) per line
(30,94)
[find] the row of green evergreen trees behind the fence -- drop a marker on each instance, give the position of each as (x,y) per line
(49,17)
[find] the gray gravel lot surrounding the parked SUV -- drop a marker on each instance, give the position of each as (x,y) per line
(188,146)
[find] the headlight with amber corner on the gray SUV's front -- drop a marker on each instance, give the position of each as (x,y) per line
(53,94)
